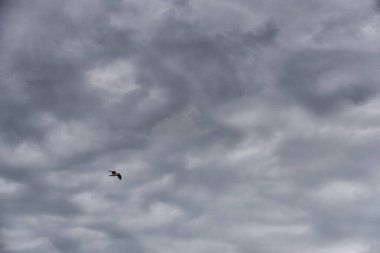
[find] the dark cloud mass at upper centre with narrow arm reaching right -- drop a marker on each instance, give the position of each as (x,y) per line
(198,67)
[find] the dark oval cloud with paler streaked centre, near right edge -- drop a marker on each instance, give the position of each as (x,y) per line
(304,80)
